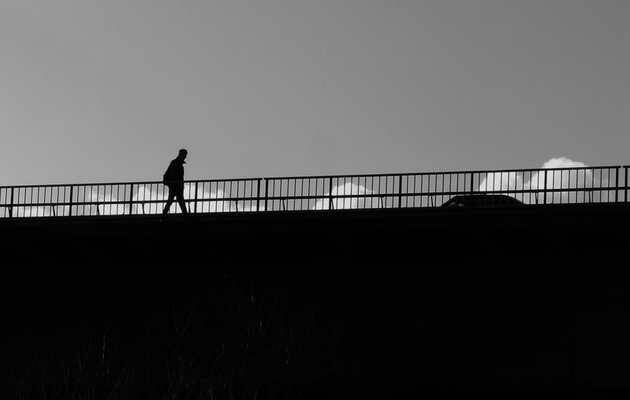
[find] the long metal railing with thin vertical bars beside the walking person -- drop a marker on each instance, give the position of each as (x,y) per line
(605,184)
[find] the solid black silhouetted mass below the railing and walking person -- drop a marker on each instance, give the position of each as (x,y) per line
(516,303)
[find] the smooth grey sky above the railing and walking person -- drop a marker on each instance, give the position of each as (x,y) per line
(109,90)
